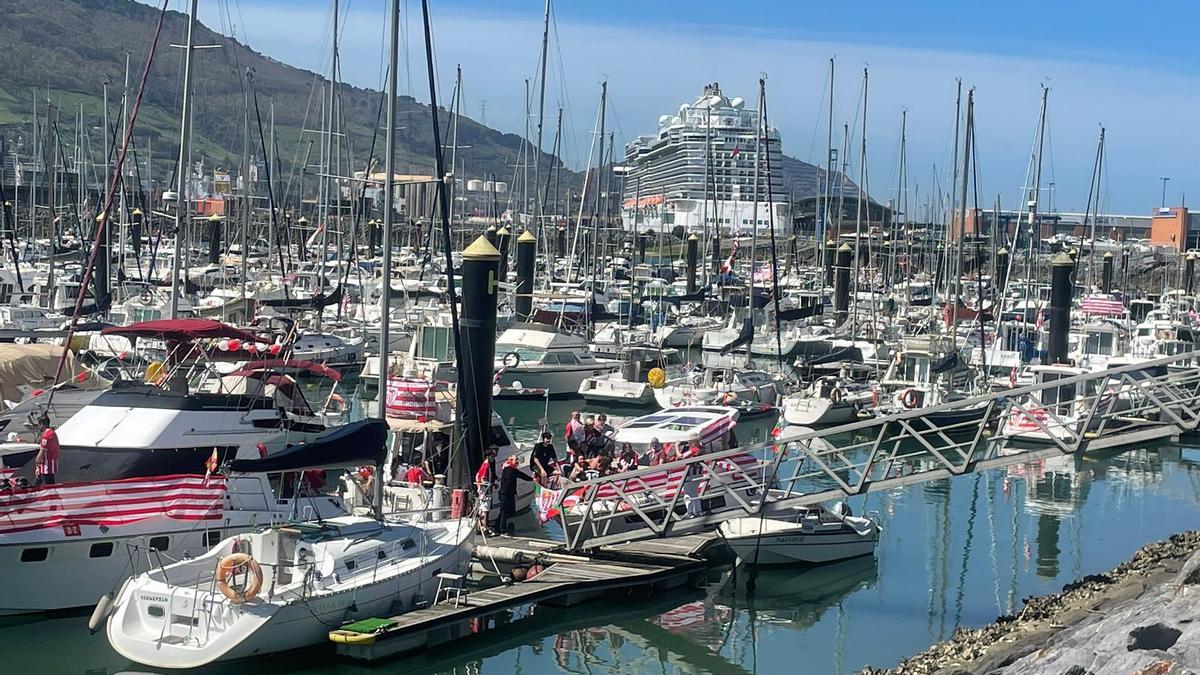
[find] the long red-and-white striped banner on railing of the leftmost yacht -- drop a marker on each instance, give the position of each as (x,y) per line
(112,503)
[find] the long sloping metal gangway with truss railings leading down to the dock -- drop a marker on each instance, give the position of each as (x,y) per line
(1137,404)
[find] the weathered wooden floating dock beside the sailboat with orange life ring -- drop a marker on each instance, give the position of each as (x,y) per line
(647,566)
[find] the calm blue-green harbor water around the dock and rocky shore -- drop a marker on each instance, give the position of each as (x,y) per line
(957,552)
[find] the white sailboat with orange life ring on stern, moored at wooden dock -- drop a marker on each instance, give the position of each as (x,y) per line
(285,587)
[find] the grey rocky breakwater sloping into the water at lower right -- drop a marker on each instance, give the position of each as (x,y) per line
(1138,619)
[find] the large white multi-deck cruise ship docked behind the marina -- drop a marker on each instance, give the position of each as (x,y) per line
(665,171)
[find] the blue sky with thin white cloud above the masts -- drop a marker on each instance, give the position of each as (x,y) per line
(1129,65)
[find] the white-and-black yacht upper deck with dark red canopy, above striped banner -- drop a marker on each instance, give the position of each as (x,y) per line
(170,426)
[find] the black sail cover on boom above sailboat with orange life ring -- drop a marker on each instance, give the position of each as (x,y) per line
(357,444)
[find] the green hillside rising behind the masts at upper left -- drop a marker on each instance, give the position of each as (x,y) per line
(65,51)
